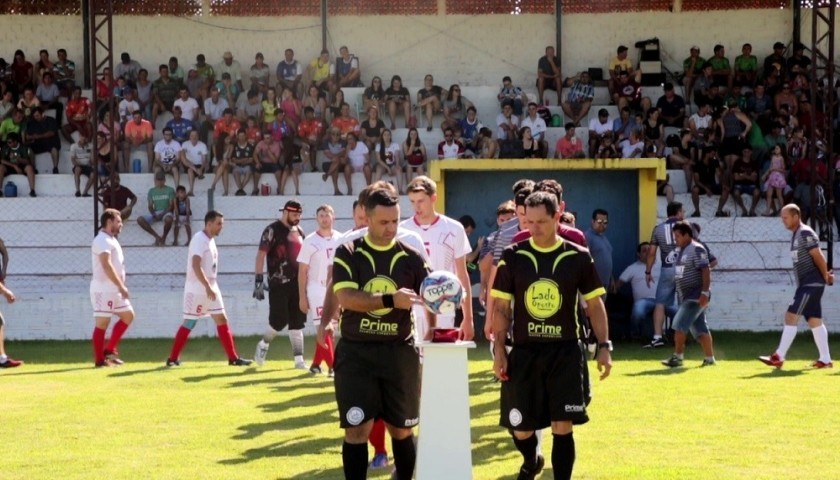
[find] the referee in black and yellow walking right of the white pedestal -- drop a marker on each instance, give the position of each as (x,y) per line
(543,380)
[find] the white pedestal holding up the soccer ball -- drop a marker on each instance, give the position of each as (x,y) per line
(444,450)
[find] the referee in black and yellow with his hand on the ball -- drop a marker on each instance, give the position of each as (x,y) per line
(376,280)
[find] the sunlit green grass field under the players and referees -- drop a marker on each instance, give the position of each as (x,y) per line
(61,418)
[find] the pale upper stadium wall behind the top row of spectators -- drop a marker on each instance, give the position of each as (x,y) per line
(471,50)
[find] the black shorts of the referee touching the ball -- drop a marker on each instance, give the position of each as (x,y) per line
(377,380)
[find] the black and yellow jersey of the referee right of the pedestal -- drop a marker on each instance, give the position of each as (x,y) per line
(543,285)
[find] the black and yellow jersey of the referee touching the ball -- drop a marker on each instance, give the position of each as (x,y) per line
(374,269)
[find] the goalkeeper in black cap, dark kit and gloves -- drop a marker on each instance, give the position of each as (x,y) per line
(279,247)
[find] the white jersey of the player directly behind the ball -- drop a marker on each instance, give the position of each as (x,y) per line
(444,240)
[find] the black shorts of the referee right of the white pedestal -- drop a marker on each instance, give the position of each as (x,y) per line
(548,383)
